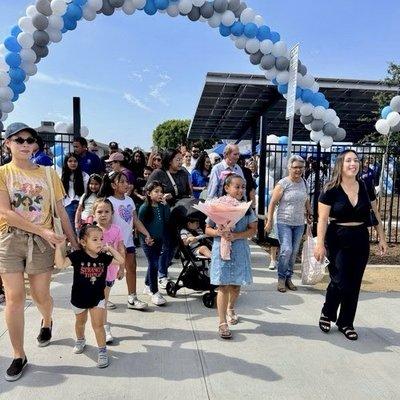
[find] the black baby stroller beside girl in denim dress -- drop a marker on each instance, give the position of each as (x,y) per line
(194,274)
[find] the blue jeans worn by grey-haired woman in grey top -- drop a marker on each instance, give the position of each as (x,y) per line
(289,239)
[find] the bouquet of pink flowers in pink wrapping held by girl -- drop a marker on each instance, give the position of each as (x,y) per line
(225,212)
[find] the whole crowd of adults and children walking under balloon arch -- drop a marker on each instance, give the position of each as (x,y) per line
(109,206)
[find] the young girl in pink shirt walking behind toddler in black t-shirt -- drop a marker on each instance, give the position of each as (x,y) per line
(112,235)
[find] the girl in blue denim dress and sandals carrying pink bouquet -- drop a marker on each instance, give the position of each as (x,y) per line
(230,274)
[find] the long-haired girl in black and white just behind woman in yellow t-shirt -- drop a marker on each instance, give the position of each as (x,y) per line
(75,182)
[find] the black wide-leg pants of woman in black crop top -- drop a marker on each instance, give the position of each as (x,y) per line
(348,252)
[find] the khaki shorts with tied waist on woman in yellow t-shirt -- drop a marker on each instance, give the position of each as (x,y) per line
(21,251)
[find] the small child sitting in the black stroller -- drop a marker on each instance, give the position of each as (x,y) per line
(194,238)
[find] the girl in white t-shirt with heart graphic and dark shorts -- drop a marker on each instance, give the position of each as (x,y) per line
(115,187)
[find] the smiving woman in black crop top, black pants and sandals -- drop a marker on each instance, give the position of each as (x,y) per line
(345,202)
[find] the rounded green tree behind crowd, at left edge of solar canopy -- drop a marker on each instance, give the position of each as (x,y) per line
(172,133)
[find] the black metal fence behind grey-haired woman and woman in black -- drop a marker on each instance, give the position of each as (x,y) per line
(383,170)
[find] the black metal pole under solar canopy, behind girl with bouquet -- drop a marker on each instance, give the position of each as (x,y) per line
(262,175)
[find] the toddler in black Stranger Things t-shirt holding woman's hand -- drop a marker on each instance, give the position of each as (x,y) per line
(87,296)
